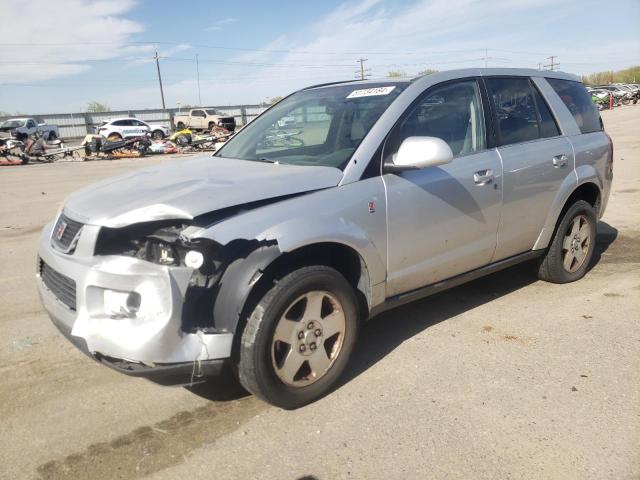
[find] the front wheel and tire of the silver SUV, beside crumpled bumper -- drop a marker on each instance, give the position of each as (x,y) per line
(298,338)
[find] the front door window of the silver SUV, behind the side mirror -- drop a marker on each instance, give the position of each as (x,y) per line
(452,112)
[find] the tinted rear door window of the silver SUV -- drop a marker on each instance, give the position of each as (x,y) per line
(521,111)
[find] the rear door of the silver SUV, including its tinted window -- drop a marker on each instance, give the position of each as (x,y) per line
(536,159)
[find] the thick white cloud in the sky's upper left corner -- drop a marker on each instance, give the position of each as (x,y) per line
(58,39)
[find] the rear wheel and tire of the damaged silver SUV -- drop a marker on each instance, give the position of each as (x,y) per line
(571,249)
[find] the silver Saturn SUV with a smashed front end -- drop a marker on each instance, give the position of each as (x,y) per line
(339,202)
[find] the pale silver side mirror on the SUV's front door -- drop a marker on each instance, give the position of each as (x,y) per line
(420,152)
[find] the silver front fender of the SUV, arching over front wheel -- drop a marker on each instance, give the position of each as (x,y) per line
(353,215)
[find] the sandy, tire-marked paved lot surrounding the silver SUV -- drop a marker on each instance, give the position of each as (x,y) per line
(506,377)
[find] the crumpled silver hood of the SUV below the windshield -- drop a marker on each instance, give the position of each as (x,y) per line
(186,189)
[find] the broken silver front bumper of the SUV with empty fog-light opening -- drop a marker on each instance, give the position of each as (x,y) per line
(81,293)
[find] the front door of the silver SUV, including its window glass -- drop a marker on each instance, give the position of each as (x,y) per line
(443,221)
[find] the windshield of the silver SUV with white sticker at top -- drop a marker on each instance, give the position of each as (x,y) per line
(319,127)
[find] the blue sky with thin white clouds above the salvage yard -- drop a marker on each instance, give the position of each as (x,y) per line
(58,59)
